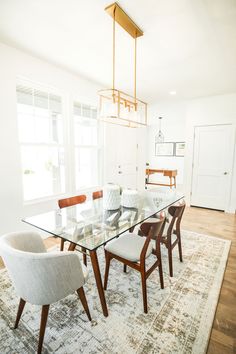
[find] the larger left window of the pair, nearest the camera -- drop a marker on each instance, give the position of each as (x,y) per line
(41,140)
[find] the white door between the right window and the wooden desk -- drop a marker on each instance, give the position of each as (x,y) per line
(121,156)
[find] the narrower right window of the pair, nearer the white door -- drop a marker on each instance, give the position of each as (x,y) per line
(86,145)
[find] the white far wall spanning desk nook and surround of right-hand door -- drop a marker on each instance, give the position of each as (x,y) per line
(179,122)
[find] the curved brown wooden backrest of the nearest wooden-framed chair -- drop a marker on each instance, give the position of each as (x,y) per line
(152,229)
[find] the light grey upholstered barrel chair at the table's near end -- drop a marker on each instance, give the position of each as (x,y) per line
(41,277)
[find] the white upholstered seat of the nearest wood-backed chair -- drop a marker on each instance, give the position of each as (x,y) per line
(128,246)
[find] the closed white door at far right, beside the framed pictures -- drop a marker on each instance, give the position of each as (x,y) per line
(212,166)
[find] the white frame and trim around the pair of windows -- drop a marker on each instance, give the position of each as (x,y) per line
(68,143)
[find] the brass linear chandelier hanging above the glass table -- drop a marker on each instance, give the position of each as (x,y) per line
(116,106)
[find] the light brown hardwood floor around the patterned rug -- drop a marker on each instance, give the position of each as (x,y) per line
(219,224)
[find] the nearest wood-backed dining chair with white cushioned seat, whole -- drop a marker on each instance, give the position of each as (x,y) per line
(132,250)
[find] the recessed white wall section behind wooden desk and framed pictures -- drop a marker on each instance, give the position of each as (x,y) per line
(173,127)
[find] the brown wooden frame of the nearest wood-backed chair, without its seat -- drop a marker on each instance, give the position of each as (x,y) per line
(151,231)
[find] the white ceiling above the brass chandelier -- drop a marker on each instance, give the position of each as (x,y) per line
(188,45)
